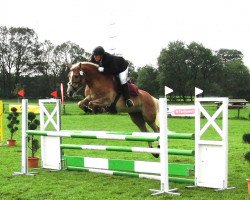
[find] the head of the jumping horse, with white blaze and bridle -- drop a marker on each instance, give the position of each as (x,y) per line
(76,79)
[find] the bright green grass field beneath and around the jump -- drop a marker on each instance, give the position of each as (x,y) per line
(82,185)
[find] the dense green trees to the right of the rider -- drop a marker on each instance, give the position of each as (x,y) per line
(183,67)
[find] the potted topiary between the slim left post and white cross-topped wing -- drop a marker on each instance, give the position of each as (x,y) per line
(33,143)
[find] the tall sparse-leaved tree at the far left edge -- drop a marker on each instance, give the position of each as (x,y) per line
(16,54)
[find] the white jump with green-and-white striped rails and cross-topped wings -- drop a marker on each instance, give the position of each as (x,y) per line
(211,157)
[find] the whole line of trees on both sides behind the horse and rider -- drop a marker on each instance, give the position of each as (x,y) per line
(40,67)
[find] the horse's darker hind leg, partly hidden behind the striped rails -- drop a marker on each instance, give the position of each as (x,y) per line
(138,119)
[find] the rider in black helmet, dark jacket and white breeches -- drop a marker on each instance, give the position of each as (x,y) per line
(114,65)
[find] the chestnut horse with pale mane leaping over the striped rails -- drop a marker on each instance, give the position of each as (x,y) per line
(101,91)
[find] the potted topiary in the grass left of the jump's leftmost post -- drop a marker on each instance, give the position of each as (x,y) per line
(12,125)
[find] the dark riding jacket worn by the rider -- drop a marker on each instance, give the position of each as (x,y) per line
(112,64)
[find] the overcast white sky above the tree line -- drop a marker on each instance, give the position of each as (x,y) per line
(137,29)
